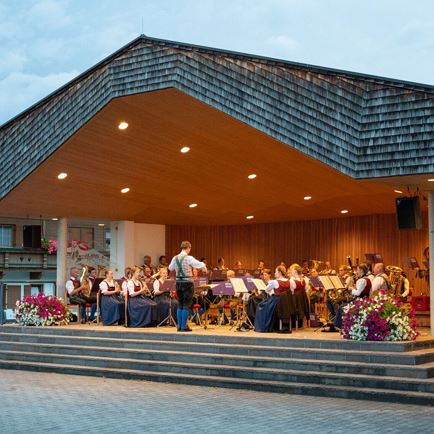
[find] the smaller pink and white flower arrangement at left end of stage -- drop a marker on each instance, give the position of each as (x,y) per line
(42,310)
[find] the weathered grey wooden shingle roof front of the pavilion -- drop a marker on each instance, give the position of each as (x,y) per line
(362,125)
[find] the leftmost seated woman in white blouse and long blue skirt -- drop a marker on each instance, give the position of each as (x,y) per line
(112,302)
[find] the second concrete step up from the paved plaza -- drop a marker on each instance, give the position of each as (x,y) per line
(261,374)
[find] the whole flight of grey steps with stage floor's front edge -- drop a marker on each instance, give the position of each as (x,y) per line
(305,362)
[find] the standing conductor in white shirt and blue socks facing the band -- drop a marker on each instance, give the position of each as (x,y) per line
(183,264)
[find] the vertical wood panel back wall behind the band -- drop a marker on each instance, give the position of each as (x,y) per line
(331,239)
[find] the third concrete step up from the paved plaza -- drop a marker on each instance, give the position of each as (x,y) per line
(248,361)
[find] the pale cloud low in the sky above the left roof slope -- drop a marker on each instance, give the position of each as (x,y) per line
(19,90)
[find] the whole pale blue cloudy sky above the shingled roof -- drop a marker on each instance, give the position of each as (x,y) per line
(46,43)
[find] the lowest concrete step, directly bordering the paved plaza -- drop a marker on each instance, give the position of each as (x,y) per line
(371,394)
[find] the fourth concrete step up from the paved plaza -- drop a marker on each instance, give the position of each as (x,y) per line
(396,358)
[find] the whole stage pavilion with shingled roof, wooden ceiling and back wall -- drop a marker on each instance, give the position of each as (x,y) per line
(245,156)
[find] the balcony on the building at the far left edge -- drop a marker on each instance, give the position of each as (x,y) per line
(18,258)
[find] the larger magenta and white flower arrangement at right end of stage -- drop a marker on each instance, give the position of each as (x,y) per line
(380,318)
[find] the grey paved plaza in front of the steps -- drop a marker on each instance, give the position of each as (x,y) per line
(52,403)
